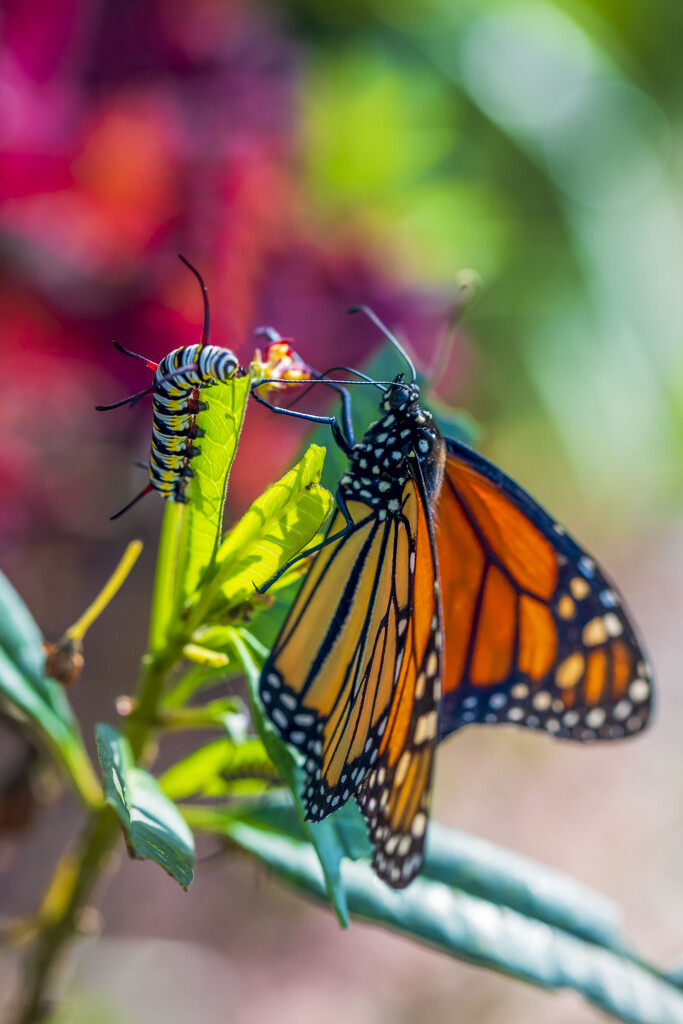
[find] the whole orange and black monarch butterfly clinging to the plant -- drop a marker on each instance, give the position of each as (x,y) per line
(443,596)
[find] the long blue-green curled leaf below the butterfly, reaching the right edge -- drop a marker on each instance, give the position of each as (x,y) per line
(484,931)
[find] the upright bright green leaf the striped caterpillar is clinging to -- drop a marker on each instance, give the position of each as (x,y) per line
(222,423)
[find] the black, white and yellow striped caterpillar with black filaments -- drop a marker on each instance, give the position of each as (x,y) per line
(176,391)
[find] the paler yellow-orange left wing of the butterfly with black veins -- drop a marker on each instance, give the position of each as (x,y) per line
(329,682)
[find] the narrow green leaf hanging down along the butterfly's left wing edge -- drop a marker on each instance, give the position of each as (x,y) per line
(321,835)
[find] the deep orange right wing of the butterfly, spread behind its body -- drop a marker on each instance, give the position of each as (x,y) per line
(535,633)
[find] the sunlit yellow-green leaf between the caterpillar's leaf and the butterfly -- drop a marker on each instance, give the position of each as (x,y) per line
(278,526)
